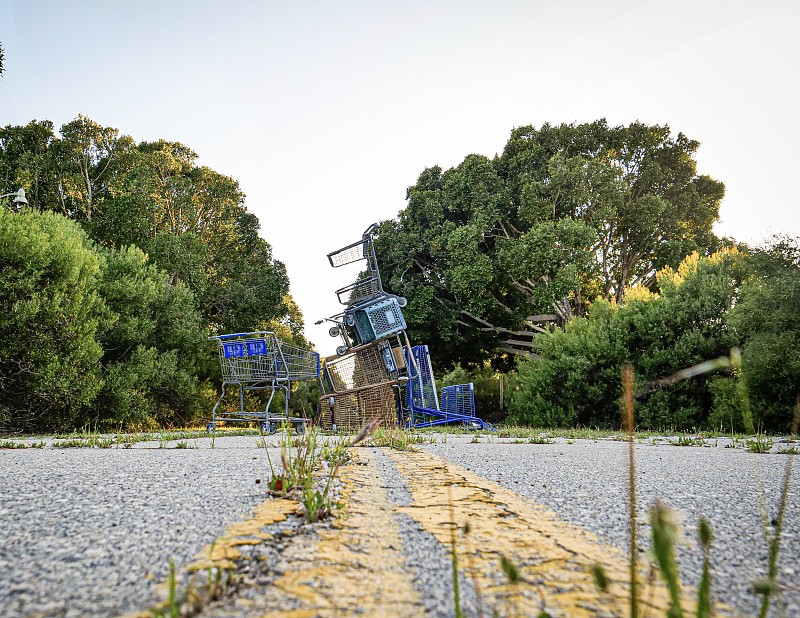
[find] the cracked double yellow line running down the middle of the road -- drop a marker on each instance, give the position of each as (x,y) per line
(355,566)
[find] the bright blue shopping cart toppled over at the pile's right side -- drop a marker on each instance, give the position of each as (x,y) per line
(421,406)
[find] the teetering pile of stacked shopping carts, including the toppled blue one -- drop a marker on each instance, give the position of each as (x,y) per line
(376,374)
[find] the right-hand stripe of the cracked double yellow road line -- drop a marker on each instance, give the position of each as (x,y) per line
(554,558)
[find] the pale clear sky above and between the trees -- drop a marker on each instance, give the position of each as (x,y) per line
(325,112)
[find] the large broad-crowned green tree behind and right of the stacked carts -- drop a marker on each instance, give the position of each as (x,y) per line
(489,250)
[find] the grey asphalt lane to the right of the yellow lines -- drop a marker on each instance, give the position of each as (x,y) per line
(585,483)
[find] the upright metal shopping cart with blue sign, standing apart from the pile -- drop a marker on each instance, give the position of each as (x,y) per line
(259,361)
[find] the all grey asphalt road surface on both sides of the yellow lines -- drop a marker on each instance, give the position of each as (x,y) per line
(89,532)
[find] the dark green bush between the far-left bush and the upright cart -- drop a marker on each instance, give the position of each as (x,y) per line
(154,345)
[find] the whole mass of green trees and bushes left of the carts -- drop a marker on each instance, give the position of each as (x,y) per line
(128,256)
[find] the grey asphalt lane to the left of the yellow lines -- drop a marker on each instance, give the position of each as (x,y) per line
(89,532)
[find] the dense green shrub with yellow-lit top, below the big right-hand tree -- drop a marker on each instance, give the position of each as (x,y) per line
(577,379)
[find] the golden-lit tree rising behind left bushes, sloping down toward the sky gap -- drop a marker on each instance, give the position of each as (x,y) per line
(193,223)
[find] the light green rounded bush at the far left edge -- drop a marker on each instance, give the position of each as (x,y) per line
(49,355)
